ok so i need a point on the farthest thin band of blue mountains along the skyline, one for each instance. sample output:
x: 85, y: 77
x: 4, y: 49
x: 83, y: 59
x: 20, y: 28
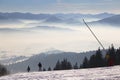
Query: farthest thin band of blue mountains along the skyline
x: 17, y: 15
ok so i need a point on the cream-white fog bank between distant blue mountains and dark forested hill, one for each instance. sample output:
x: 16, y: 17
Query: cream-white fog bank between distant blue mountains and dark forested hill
x: 32, y: 37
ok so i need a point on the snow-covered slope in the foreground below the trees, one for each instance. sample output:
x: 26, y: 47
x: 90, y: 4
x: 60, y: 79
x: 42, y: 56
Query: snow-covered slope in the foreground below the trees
x: 107, y: 73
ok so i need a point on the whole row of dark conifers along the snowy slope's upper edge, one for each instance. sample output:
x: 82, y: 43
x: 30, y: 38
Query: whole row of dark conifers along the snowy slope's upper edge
x: 111, y: 58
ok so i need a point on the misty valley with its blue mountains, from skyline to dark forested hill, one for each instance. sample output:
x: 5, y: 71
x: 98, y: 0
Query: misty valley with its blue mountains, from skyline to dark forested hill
x: 27, y: 34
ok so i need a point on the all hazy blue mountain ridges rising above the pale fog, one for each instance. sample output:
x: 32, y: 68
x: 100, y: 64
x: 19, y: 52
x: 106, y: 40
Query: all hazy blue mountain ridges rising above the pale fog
x: 16, y: 17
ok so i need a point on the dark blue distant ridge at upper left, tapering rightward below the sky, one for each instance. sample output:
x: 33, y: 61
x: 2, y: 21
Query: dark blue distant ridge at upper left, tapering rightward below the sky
x: 29, y: 16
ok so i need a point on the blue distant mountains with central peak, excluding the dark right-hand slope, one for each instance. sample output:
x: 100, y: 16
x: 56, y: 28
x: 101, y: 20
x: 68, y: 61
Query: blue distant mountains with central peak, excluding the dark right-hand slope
x: 50, y: 18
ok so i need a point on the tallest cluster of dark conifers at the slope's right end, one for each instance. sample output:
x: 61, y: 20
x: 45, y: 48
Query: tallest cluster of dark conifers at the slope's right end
x: 111, y: 58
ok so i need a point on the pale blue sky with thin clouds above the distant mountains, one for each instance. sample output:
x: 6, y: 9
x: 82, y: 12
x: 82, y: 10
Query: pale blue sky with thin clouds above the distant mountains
x: 61, y: 6
